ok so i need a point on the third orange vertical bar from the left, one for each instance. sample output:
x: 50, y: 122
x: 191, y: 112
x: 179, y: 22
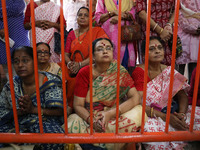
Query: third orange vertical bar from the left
x: 63, y: 65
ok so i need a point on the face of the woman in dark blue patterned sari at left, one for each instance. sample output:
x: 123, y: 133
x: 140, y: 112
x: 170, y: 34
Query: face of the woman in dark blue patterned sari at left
x: 23, y: 63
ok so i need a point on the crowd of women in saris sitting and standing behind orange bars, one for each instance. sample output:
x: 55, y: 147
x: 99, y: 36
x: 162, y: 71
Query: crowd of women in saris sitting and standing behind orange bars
x: 104, y: 71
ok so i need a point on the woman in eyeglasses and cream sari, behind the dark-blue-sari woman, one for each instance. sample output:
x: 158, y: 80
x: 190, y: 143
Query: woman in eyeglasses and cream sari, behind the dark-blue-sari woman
x: 44, y: 64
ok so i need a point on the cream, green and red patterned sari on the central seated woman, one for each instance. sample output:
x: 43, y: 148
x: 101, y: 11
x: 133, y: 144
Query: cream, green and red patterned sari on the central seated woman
x: 104, y: 98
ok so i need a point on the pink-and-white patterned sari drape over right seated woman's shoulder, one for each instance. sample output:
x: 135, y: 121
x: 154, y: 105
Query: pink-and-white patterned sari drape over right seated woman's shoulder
x: 161, y: 83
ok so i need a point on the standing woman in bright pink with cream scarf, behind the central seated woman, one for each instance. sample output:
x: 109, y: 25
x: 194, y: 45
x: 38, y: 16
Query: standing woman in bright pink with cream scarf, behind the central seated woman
x: 106, y: 15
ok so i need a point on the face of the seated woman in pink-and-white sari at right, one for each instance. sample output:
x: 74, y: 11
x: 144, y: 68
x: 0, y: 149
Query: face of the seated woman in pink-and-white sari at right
x: 156, y: 51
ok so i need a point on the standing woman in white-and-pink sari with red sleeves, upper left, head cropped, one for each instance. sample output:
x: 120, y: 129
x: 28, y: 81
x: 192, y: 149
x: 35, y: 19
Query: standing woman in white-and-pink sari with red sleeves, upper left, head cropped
x: 47, y: 21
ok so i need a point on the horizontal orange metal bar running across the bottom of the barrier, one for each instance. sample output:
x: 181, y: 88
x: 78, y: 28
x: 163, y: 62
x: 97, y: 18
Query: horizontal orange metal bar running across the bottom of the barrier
x: 99, y: 137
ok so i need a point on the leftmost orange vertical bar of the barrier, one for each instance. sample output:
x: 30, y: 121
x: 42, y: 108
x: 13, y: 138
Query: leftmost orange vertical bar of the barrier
x: 5, y: 23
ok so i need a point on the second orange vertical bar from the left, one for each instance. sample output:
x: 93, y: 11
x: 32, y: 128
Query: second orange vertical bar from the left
x: 36, y: 65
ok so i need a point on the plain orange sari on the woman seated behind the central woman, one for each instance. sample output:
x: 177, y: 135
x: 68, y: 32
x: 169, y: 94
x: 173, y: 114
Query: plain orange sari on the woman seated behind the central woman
x: 82, y: 45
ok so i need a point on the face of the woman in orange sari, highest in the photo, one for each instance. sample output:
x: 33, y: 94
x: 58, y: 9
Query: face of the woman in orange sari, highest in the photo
x: 83, y: 17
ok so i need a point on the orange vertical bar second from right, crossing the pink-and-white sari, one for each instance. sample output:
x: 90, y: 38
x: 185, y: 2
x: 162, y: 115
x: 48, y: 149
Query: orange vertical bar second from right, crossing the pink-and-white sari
x: 172, y: 65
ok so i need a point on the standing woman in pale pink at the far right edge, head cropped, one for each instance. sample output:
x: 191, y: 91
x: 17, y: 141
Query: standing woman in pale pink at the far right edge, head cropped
x: 188, y: 31
